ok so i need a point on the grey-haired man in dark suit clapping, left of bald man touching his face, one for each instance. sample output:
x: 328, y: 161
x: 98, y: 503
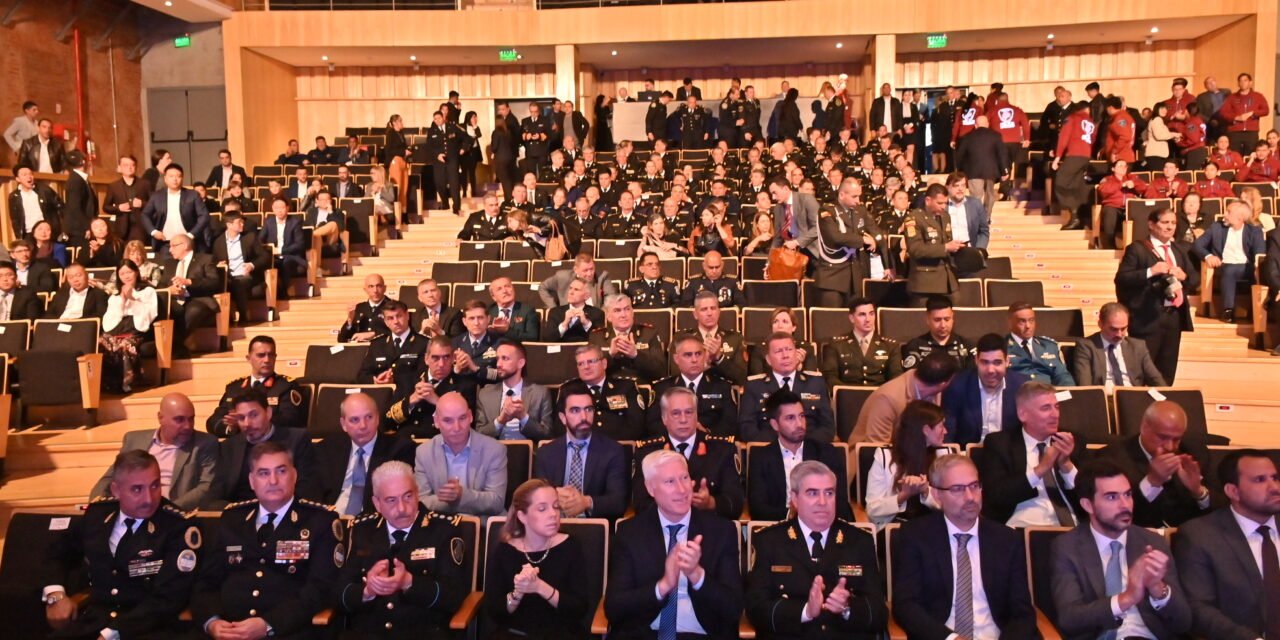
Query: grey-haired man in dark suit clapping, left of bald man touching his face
x: 1030, y: 473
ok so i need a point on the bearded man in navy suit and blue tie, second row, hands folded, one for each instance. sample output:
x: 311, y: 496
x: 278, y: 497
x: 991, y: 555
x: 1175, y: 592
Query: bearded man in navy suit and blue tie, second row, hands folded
x: 588, y: 469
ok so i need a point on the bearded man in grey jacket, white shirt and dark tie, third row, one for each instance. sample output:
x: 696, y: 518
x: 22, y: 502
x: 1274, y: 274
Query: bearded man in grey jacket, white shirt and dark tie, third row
x: 515, y: 410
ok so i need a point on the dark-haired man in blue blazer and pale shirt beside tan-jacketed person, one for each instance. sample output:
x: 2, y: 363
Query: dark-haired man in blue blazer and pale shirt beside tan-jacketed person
x: 984, y: 400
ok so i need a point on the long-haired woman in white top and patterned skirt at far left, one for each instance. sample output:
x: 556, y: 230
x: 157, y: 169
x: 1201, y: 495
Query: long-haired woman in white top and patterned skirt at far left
x: 129, y: 318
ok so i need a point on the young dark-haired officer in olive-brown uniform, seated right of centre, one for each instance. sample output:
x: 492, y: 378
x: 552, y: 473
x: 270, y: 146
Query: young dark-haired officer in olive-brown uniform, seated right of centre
x: 862, y: 358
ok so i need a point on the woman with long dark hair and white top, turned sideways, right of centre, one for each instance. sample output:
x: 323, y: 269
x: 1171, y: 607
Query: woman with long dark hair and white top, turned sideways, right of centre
x: 898, y: 486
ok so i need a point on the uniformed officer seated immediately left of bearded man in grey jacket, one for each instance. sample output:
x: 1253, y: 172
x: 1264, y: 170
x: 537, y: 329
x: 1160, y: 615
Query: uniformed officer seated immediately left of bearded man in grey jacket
x: 414, y: 412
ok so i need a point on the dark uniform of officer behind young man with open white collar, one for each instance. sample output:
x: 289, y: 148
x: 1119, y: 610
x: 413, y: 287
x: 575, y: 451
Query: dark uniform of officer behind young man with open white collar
x: 755, y: 426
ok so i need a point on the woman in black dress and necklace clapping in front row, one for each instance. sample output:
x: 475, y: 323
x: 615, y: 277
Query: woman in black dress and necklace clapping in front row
x: 533, y: 580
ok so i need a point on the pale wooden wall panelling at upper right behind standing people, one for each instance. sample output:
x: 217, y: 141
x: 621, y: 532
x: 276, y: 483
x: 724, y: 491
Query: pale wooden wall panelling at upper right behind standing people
x: 1139, y: 72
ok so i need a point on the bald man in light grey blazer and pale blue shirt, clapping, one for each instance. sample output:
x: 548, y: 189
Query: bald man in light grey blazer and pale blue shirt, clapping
x: 460, y: 470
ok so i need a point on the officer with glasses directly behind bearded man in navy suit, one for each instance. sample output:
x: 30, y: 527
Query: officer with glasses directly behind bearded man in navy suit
x: 619, y: 405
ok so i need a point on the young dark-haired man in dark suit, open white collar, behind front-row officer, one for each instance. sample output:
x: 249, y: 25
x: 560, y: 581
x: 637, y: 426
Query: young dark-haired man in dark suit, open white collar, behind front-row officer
x: 769, y: 483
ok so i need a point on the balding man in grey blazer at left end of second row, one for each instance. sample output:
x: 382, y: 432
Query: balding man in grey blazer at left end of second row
x: 188, y: 458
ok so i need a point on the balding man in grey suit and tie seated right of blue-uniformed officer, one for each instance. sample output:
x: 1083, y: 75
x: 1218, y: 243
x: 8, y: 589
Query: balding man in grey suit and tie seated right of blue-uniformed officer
x: 1112, y: 358
